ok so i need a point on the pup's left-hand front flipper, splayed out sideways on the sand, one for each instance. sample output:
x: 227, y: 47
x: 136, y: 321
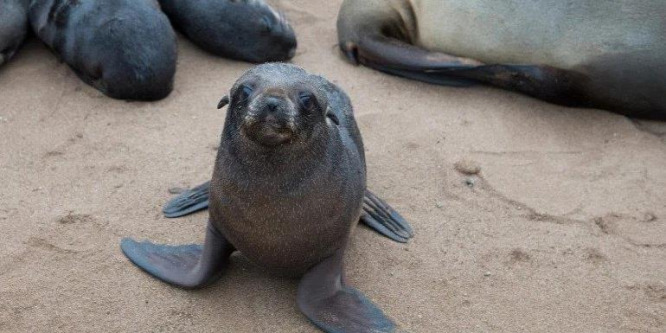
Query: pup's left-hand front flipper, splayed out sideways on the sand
x: 186, y: 266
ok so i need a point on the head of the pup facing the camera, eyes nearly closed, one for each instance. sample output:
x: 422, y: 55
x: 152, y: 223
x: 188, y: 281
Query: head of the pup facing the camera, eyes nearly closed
x: 276, y: 105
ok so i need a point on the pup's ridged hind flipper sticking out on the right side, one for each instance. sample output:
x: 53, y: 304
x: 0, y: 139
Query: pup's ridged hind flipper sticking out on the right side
x: 379, y: 216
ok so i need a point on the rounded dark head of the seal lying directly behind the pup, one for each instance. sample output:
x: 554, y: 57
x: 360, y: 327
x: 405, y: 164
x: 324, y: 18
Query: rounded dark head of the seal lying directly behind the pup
x: 257, y: 33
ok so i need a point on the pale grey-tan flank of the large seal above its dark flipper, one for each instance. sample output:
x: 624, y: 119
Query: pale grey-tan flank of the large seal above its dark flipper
x: 563, y: 34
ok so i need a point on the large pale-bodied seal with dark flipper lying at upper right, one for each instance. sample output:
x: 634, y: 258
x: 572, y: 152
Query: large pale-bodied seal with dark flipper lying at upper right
x: 598, y: 54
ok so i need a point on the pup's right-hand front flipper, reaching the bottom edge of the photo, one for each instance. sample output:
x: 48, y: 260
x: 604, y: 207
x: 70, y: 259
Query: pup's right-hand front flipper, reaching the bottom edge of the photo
x: 334, y: 307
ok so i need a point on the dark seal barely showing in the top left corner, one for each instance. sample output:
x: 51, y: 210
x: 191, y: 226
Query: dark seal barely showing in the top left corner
x: 13, y: 27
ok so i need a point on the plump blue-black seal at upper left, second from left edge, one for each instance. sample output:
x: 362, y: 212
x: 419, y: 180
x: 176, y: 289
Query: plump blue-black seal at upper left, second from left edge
x: 124, y: 48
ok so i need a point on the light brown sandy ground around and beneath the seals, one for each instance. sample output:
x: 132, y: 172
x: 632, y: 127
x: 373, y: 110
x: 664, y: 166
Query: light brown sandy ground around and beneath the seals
x: 564, y: 230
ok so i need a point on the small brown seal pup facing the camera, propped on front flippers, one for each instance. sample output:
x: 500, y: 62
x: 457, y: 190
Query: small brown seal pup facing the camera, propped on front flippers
x: 287, y: 190
